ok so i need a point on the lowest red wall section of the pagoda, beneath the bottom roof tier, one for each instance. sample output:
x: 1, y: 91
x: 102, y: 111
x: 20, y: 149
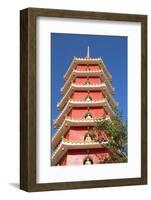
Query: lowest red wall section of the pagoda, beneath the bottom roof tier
x: 76, y: 157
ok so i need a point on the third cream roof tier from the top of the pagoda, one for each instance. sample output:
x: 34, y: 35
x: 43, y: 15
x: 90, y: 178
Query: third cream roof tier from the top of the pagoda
x: 86, y: 87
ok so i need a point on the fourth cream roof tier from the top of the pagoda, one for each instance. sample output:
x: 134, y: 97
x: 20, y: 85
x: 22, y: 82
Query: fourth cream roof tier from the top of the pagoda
x: 73, y: 103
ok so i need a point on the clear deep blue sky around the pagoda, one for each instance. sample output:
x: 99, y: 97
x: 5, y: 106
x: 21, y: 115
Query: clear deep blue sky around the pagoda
x: 113, y: 51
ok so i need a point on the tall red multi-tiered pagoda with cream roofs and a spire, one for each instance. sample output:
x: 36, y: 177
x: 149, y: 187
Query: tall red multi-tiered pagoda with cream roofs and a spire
x: 87, y: 97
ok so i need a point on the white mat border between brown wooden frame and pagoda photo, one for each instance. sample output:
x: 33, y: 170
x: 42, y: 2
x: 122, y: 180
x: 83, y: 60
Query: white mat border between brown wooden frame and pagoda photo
x: 46, y: 173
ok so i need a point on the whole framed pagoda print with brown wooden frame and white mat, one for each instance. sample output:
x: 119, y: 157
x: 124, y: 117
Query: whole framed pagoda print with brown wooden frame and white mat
x: 83, y: 99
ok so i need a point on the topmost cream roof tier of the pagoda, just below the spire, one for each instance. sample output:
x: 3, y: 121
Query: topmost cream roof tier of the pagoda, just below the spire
x: 76, y: 61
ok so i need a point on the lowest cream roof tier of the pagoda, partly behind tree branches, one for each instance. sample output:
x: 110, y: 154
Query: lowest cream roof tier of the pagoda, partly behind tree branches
x: 65, y: 145
